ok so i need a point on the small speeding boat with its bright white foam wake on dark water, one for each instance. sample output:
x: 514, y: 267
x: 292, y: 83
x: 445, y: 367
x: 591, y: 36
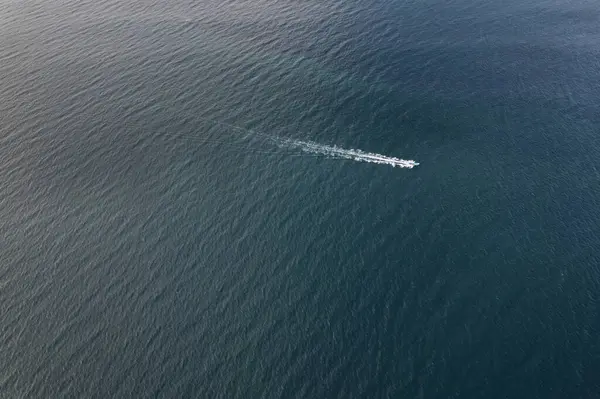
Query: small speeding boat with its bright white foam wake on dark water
x: 337, y: 152
